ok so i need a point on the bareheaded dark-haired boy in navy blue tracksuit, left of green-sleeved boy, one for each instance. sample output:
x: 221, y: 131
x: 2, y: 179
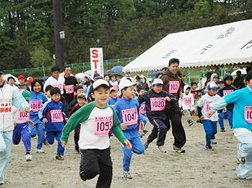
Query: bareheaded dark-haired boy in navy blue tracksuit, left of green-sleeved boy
x: 53, y: 116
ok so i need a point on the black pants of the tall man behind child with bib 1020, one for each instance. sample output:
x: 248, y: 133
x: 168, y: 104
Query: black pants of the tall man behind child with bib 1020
x: 174, y: 117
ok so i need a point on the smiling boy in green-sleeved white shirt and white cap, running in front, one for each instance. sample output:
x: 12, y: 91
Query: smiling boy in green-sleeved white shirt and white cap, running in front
x: 97, y: 119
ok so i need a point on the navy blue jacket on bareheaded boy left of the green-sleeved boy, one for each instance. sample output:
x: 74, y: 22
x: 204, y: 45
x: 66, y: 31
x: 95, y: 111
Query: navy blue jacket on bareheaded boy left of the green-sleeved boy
x: 47, y: 111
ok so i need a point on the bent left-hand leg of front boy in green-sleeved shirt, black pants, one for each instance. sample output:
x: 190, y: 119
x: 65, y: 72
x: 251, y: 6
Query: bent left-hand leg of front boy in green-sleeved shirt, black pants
x: 89, y: 165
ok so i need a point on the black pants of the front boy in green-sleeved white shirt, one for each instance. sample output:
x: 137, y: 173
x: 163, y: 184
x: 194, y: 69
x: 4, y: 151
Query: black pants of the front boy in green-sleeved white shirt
x: 94, y: 162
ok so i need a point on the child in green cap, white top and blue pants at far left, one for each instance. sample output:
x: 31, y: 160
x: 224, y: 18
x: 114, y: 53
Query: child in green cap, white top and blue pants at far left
x: 21, y: 124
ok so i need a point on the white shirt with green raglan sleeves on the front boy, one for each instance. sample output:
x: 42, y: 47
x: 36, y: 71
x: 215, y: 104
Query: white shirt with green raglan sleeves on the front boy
x: 96, y: 124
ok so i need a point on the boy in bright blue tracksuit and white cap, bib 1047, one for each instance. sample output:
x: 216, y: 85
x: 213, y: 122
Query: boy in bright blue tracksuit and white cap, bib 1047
x: 127, y: 110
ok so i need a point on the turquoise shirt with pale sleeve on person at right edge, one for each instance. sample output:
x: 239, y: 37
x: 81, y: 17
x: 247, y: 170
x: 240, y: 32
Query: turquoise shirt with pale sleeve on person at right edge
x: 242, y: 112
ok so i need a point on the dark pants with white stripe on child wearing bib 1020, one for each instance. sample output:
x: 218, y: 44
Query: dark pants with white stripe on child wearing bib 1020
x: 159, y: 131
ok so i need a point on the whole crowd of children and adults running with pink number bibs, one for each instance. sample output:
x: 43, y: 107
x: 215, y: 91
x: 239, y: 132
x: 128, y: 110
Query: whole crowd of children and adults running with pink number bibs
x: 122, y: 109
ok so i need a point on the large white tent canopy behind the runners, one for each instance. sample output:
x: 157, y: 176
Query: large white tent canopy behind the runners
x: 218, y: 45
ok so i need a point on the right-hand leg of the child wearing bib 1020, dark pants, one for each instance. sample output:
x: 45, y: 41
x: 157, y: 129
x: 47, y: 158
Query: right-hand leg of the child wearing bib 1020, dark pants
x: 161, y: 131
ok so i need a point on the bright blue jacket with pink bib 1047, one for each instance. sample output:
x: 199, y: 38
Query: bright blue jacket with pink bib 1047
x: 133, y: 118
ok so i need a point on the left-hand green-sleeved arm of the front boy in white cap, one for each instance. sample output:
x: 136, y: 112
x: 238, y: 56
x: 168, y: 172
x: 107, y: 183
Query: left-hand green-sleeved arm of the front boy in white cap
x: 78, y: 117
